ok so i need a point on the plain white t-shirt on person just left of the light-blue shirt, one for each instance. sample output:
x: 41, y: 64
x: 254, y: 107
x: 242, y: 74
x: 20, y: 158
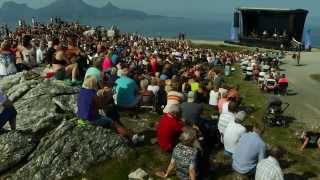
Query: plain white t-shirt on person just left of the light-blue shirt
x: 232, y: 135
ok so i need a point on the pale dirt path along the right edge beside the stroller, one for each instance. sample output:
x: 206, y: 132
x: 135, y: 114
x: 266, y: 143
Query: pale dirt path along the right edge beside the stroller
x: 305, y: 105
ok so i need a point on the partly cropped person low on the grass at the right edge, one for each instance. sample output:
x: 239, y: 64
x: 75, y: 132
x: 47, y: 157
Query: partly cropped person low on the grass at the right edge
x: 310, y: 139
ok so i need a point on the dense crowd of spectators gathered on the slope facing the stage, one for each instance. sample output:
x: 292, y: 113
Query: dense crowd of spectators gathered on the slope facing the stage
x: 129, y: 71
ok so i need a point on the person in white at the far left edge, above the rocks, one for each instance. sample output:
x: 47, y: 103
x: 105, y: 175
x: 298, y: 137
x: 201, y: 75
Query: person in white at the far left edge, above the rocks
x: 7, y: 65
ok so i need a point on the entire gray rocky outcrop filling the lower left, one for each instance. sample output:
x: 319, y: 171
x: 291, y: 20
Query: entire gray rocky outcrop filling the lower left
x: 52, y: 145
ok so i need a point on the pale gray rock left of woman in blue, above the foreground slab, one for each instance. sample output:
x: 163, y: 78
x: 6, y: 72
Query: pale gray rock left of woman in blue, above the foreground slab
x: 36, y: 109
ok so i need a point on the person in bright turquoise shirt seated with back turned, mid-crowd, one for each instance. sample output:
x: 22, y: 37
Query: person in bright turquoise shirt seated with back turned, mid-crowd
x: 126, y: 91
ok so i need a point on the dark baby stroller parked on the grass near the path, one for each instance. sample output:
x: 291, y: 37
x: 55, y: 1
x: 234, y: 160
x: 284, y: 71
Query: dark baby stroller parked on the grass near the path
x: 274, y: 114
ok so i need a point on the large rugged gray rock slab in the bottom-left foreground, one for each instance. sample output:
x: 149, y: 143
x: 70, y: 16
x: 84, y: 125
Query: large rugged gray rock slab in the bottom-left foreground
x: 70, y: 150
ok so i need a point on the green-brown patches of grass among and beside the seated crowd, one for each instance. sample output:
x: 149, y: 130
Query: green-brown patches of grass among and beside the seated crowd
x: 150, y: 158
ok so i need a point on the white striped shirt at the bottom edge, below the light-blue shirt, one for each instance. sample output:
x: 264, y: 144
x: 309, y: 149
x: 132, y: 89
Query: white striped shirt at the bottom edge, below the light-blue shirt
x: 269, y: 169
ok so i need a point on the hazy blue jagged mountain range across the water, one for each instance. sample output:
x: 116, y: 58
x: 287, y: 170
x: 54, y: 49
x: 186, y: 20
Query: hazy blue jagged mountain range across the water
x: 11, y: 12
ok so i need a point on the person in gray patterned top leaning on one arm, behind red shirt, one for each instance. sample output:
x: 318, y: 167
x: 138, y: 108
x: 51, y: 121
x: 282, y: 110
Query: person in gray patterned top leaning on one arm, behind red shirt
x: 184, y: 157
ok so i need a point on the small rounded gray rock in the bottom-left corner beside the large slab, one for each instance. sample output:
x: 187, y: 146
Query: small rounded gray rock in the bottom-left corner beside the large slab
x: 14, y: 147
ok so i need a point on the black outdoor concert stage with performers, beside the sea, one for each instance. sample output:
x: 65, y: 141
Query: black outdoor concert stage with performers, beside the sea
x: 268, y: 28
